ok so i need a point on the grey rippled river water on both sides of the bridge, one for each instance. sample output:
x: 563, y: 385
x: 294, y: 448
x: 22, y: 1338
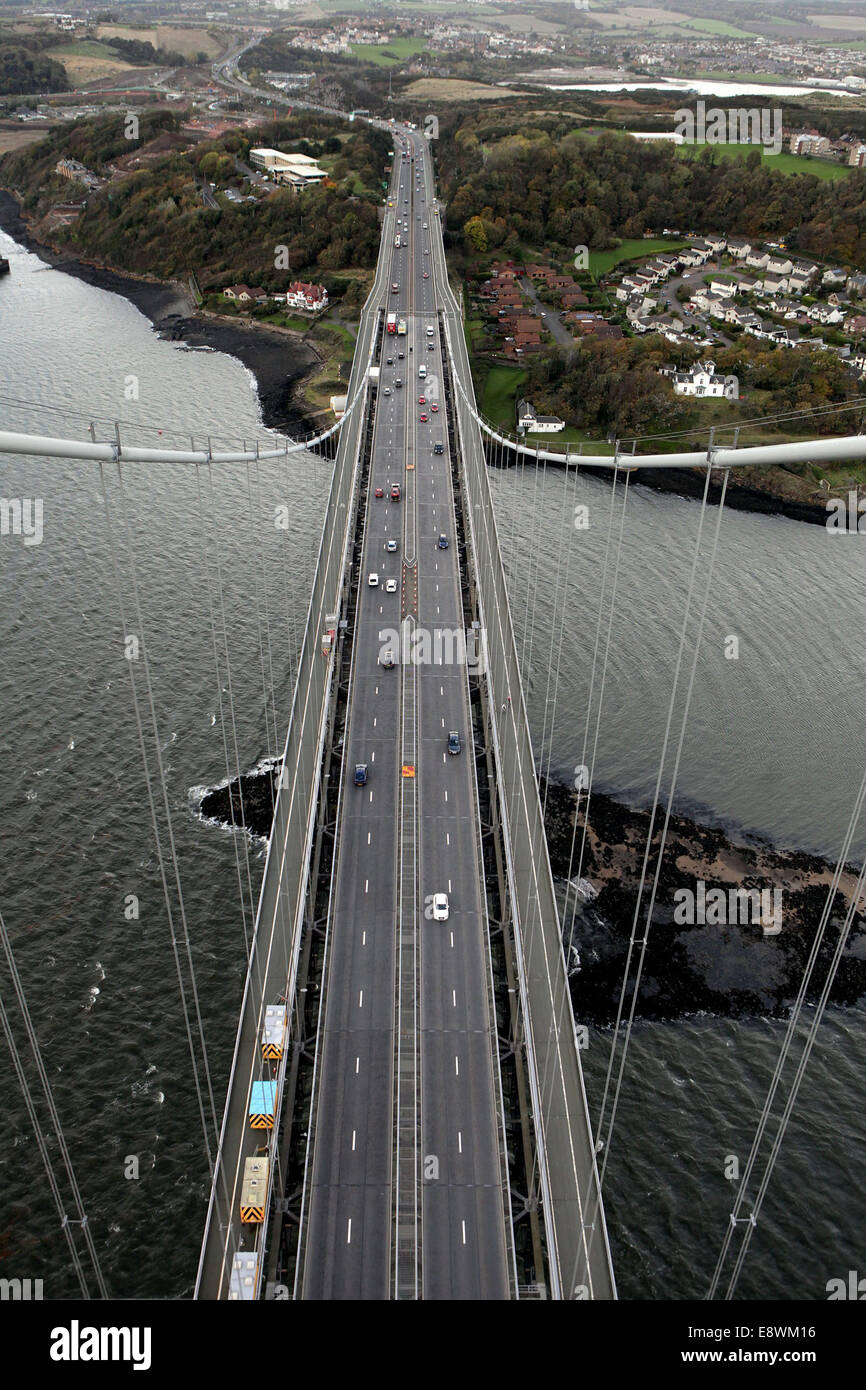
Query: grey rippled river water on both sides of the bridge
x: 775, y: 746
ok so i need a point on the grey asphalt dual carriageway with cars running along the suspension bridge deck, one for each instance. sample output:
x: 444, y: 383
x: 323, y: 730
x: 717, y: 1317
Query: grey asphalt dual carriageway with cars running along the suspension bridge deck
x: 407, y: 1193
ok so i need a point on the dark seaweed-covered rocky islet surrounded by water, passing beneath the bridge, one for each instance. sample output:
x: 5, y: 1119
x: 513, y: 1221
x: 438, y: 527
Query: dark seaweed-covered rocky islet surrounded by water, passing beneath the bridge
x: 732, y: 971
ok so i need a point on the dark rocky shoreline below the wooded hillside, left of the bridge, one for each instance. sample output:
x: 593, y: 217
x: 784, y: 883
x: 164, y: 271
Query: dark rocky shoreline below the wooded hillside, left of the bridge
x: 279, y: 359
